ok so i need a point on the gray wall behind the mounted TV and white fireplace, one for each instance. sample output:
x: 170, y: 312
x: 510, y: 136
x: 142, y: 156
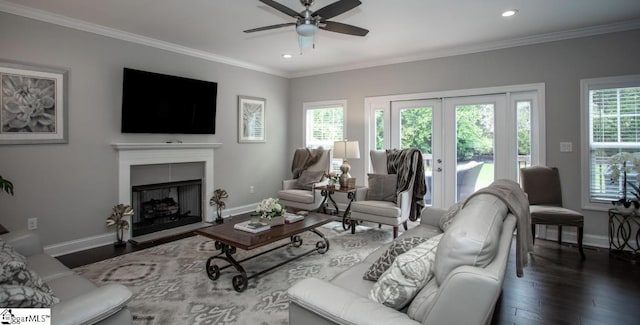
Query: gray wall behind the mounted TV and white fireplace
x: 72, y: 187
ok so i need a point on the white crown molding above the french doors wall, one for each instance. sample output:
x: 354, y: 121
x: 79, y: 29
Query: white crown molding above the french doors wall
x: 485, y: 47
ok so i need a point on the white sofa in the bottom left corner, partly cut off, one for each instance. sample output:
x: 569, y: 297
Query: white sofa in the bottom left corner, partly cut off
x: 81, y: 301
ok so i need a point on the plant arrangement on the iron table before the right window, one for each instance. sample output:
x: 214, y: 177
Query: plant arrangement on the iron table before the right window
x: 623, y: 163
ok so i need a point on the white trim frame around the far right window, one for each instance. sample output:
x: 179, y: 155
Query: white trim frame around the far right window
x: 587, y: 85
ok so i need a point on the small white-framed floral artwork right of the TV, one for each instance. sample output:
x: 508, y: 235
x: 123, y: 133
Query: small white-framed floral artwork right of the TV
x: 251, y: 119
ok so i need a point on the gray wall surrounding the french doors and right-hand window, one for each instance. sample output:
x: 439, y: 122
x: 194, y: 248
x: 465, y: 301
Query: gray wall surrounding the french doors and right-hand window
x: 560, y: 65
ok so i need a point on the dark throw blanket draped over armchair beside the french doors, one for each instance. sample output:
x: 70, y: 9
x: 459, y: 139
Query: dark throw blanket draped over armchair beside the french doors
x: 408, y: 165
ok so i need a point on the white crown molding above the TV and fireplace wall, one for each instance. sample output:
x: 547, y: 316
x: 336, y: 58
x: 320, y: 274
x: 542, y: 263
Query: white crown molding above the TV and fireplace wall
x: 85, y: 26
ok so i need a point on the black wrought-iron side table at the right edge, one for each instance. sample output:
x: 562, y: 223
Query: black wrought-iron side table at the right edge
x: 620, y: 232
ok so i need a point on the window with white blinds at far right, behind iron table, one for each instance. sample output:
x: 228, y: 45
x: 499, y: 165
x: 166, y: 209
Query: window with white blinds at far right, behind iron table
x: 611, y: 120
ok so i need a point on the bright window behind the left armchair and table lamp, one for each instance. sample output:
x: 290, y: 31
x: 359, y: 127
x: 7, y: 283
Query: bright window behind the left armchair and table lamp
x: 324, y: 123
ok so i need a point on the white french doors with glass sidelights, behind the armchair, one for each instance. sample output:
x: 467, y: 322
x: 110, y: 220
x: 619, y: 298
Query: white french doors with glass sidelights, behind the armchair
x: 466, y: 141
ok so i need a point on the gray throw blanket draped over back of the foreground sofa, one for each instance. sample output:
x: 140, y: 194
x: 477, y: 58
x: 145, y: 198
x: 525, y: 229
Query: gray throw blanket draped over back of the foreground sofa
x: 516, y: 200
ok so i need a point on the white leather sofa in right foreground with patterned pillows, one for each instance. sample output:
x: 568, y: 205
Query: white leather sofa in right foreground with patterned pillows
x: 469, y: 268
